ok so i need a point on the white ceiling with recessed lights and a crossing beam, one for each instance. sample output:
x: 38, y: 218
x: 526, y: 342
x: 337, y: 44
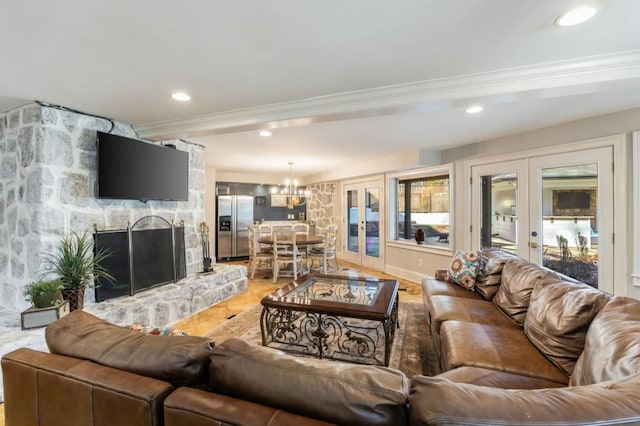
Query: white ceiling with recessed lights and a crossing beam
x: 337, y: 82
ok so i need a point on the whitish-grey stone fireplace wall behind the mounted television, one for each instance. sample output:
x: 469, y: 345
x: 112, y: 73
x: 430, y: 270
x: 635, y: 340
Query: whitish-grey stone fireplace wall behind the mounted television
x: 47, y: 181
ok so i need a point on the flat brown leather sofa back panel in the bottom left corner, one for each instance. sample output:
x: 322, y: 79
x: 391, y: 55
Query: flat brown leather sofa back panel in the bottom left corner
x: 40, y: 388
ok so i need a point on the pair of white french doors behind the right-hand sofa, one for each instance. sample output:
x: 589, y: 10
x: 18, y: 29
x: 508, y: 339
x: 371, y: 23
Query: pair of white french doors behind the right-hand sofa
x: 554, y: 210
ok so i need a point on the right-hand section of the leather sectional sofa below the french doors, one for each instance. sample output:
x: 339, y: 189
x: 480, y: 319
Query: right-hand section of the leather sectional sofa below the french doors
x: 528, y: 346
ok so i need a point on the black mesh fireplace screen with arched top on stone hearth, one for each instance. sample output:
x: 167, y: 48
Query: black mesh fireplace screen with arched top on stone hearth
x: 148, y: 254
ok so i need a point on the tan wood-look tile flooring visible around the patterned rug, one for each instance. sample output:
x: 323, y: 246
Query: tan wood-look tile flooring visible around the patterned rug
x: 202, y: 322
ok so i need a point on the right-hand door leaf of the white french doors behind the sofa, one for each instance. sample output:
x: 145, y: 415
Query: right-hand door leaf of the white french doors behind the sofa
x: 574, y: 215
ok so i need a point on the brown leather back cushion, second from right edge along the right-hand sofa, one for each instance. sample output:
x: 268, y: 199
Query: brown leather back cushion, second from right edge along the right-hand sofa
x: 558, y: 318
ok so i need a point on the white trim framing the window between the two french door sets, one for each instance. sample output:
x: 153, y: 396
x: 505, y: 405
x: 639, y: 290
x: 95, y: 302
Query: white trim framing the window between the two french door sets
x: 392, y: 206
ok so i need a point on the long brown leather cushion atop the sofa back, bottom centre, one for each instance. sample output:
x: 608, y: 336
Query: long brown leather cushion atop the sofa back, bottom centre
x: 332, y: 391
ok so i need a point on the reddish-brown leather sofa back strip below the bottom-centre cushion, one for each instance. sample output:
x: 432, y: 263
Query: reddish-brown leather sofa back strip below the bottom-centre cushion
x: 188, y: 406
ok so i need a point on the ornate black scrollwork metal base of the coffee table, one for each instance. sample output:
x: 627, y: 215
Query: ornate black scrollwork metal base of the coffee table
x: 330, y: 336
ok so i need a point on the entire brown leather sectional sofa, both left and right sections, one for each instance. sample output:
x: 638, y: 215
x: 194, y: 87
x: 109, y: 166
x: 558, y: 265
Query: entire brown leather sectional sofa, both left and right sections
x: 524, y: 347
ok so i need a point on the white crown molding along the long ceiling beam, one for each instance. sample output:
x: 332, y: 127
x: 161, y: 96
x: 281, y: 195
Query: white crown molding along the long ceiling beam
x: 582, y: 75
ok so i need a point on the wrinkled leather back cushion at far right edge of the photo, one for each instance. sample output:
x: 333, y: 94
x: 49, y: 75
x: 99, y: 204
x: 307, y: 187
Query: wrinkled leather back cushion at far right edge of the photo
x: 612, y: 344
